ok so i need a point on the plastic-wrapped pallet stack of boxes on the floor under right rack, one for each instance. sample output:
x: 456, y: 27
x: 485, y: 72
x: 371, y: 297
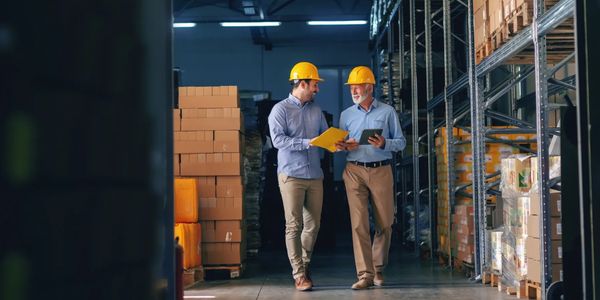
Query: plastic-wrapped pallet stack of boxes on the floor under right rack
x: 521, y: 235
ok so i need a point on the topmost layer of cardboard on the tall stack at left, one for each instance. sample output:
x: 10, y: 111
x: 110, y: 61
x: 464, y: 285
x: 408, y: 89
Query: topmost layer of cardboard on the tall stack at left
x: 209, y: 97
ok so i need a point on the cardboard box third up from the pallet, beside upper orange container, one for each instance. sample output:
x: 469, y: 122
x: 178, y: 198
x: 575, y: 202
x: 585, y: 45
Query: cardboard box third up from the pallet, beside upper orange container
x: 221, y: 209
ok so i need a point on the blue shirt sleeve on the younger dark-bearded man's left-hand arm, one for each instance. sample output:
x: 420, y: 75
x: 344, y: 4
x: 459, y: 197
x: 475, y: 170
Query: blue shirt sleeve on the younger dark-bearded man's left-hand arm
x: 278, y: 126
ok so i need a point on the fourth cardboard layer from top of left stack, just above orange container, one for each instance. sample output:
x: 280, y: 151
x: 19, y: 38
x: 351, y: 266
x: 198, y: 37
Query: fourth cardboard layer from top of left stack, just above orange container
x: 215, y: 164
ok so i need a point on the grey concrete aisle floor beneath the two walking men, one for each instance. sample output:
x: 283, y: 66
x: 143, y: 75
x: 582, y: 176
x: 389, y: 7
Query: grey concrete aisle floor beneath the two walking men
x: 268, y: 277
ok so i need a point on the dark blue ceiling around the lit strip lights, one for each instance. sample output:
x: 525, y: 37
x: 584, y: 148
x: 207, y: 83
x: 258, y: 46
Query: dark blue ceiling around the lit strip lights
x: 292, y: 13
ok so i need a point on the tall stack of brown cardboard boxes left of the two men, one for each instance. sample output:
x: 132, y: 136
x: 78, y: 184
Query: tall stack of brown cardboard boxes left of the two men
x: 208, y: 148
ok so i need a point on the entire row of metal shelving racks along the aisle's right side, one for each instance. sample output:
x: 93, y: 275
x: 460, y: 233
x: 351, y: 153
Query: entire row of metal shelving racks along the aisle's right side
x: 475, y: 83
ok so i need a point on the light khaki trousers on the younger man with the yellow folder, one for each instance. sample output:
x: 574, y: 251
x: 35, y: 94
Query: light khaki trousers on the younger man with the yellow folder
x: 302, y: 203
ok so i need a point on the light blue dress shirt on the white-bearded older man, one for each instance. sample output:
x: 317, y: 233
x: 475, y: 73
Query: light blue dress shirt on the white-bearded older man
x: 380, y: 116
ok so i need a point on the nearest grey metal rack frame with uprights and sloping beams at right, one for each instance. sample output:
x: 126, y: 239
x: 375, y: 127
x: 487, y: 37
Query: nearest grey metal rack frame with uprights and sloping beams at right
x: 481, y: 100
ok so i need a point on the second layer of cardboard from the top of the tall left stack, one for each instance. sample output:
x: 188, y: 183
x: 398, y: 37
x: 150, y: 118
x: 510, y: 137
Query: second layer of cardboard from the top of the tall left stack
x: 194, y: 119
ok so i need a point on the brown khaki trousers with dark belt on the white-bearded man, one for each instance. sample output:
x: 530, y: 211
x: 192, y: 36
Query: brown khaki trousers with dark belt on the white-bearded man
x: 362, y: 182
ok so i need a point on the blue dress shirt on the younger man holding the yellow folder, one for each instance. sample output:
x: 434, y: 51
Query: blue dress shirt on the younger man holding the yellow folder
x: 292, y: 126
